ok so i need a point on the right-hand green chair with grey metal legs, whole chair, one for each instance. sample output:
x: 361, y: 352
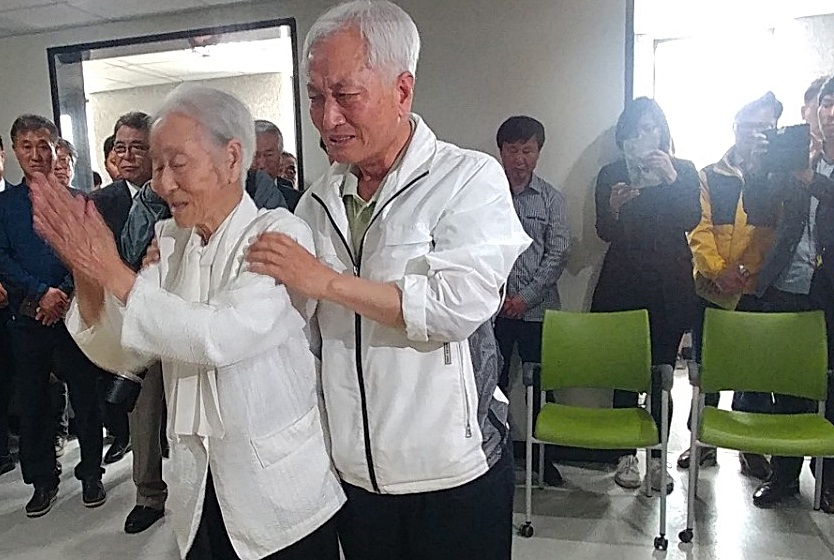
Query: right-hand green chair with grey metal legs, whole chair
x: 764, y: 352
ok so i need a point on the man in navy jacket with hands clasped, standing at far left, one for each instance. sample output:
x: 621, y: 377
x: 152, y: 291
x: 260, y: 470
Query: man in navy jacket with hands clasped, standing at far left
x: 39, y: 288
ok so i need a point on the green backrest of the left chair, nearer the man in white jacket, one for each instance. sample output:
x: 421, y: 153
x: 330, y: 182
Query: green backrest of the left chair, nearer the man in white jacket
x: 597, y: 350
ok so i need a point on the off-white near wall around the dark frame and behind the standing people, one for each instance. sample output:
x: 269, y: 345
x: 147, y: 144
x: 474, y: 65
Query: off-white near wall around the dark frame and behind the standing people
x: 561, y: 61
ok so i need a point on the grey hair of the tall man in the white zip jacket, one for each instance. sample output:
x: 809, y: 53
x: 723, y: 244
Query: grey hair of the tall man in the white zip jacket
x: 392, y: 39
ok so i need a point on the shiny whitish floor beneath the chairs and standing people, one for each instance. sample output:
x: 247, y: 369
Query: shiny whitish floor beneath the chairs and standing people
x: 589, y: 518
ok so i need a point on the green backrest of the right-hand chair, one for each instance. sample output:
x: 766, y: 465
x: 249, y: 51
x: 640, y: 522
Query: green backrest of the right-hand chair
x: 767, y: 352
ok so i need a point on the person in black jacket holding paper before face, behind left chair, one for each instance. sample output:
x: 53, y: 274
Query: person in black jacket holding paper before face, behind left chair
x: 648, y: 264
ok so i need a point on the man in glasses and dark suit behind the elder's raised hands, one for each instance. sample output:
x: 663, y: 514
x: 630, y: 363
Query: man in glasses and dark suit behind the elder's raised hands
x: 131, y: 144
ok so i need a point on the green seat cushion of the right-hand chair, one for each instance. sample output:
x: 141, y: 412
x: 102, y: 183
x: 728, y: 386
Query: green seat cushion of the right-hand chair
x: 791, y: 435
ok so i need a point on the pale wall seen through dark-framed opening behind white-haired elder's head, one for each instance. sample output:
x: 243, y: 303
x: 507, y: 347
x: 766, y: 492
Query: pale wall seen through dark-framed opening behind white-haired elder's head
x: 258, y: 91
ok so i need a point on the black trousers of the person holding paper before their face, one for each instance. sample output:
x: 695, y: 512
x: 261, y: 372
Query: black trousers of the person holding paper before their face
x: 665, y: 340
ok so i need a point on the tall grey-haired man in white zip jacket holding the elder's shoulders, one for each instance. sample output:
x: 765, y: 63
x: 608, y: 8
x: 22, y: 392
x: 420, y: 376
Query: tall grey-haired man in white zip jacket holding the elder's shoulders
x: 415, y: 238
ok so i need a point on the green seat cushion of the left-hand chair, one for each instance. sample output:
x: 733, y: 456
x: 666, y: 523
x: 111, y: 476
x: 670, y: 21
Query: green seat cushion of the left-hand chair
x: 596, y: 428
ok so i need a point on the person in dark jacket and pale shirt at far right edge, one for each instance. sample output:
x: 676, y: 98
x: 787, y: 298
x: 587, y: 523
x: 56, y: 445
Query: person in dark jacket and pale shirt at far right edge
x: 798, y: 273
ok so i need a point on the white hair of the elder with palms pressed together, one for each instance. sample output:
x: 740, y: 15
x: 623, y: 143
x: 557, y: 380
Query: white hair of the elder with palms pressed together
x: 224, y: 117
